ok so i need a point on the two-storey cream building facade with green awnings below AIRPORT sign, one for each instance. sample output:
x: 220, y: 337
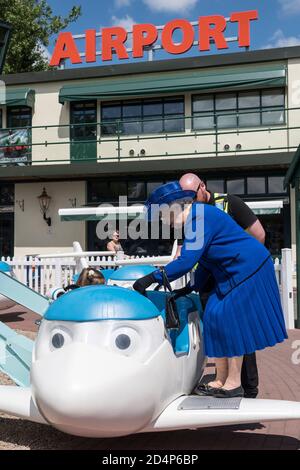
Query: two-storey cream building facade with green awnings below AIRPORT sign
x: 89, y: 135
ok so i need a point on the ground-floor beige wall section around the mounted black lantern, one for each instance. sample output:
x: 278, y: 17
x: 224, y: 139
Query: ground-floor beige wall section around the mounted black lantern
x: 32, y: 234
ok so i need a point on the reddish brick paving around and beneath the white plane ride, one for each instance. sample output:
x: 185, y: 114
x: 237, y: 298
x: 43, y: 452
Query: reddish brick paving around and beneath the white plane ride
x: 279, y: 379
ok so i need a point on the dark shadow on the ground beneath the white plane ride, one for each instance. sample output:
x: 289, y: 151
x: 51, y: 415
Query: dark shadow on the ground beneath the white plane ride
x: 15, y: 433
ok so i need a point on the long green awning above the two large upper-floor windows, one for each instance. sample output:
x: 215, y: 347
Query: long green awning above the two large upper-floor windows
x: 236, y: 78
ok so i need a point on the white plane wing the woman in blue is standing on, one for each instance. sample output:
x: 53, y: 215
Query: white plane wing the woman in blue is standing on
x: 192, y: 412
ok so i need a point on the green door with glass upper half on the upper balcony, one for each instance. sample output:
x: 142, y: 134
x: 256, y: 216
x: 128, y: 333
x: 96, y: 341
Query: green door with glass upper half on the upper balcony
x: 84, y: 133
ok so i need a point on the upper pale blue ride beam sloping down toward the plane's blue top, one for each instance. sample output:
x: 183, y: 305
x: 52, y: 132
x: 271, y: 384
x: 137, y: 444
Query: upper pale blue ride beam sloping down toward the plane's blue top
x: 22, y: 295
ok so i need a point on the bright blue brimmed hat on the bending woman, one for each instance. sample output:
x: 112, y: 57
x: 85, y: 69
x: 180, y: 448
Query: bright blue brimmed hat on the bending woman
x: 166, y: 194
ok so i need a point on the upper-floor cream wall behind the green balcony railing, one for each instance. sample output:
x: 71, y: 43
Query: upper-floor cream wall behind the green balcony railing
x: 48, y: 111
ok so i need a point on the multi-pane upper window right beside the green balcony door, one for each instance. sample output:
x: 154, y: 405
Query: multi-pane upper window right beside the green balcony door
x: 148, y: 116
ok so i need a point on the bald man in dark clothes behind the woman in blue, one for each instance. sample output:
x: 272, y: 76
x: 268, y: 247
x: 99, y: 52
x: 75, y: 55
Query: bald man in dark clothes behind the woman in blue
x: 243, y: 216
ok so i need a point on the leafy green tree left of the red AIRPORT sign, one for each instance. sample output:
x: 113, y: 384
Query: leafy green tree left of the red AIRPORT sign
x: 33, y: 25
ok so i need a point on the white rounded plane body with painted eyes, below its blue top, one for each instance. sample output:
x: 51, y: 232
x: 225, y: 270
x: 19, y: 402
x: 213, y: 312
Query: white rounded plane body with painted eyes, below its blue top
x: 92, y: 387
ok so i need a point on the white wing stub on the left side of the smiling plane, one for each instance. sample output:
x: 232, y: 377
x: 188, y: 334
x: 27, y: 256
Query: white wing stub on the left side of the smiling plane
x: 18, y: 401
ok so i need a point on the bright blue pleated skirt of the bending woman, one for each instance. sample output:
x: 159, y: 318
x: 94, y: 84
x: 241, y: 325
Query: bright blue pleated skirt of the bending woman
x: 247, y: 319
